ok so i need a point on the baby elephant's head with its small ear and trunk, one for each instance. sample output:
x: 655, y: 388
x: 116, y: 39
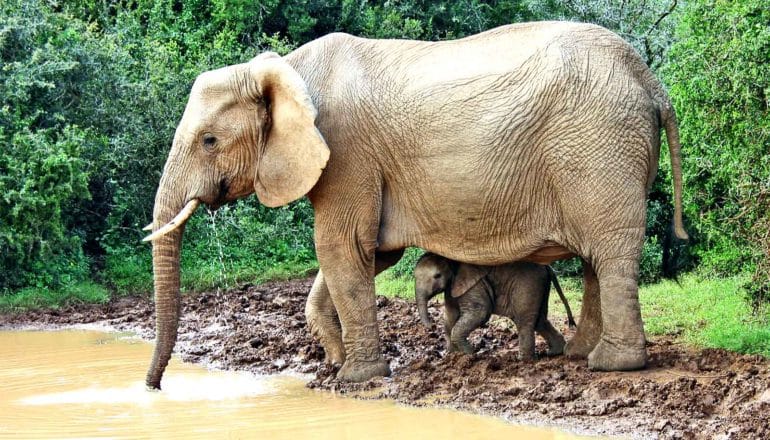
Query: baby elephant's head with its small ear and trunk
x: 434, y: 274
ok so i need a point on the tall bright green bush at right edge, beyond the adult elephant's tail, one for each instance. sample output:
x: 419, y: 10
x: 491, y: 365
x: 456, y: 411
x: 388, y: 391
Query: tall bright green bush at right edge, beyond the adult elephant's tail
x: 719, y: 77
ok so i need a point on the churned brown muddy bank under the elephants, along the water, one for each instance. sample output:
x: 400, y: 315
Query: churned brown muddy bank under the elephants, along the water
x: 683, y: 393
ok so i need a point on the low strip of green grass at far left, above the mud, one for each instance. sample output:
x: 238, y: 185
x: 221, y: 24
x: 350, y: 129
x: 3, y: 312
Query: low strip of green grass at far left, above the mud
x: 37, y: 298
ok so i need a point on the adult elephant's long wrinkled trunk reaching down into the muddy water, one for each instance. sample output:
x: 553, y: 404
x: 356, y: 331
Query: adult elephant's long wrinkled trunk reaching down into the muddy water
x: 165, y: 263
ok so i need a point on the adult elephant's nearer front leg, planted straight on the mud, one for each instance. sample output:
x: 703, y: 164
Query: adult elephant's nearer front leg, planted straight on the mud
x: 349, y: 275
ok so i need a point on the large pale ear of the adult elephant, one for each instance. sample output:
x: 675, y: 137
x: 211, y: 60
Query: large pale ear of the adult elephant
x: 295, y: 153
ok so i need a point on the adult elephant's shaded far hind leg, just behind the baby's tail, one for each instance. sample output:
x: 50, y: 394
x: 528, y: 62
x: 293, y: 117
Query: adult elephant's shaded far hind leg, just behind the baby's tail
x: 590, y: 324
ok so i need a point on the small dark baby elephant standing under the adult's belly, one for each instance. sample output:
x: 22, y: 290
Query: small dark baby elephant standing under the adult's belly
x: 472, y: 293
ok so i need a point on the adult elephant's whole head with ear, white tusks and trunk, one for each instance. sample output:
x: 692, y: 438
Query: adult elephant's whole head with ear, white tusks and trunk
x: 246, y: 128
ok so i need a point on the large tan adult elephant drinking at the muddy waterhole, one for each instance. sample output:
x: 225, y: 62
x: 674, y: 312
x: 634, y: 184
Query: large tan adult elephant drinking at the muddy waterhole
x: 527, y: 142
